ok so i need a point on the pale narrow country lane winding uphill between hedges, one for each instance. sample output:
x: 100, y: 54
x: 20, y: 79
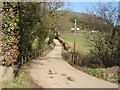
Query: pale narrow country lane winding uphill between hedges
x: 54, y: 72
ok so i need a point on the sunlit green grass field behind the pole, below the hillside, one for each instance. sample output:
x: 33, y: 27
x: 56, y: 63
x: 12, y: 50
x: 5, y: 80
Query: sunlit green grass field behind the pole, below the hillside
x: 83, y: 41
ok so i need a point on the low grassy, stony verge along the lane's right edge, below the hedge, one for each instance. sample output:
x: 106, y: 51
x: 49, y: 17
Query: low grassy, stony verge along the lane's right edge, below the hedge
x: 108, y: 74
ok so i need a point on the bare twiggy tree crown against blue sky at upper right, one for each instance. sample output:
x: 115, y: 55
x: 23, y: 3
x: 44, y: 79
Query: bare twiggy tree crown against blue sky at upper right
x: 106, y: 14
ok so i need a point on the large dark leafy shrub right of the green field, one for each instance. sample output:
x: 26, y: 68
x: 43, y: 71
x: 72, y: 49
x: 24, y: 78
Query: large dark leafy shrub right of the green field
x: 106, y: 50
